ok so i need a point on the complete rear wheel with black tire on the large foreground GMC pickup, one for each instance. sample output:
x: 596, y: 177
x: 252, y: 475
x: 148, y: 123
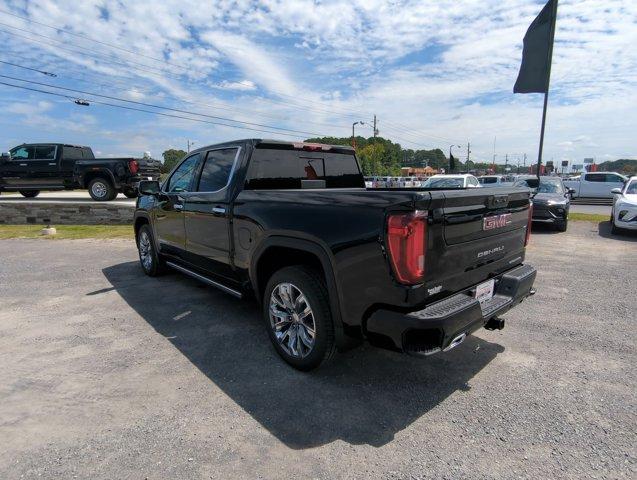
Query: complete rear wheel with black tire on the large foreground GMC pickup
x: 297, y: 315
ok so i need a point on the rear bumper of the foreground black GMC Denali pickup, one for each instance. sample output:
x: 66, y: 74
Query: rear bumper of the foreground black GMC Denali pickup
x: 433, y: 329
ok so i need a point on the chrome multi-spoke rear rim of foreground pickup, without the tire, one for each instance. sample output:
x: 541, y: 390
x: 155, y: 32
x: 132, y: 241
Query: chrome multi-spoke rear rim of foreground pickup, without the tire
x: 292, y: 320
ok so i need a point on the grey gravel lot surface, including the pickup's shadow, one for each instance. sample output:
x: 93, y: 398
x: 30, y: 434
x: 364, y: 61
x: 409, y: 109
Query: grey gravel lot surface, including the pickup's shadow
x: 106, y: 373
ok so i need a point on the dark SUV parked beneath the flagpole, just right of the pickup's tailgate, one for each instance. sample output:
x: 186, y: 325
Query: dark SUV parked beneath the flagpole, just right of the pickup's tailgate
x: 551, y: 200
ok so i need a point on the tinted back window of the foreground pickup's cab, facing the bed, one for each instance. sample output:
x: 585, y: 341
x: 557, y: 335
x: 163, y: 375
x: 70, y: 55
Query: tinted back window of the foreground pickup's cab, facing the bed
x: 287, y: 169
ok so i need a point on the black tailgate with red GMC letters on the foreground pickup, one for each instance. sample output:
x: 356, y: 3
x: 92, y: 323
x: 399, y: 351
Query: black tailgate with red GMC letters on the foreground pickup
x: 473, y: 235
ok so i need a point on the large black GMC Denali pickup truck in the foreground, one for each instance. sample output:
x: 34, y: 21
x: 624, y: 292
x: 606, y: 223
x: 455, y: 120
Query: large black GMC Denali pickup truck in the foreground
x: 331, y: 262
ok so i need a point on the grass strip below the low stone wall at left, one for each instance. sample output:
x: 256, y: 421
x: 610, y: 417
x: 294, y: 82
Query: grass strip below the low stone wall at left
x: 68, y: 231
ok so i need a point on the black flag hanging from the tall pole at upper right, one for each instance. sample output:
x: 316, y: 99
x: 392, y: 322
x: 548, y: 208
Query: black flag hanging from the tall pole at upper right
x: 536, y: 55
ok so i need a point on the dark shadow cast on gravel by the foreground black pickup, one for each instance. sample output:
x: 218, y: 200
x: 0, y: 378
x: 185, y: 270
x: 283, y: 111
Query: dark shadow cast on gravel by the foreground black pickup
x: 364, y: 396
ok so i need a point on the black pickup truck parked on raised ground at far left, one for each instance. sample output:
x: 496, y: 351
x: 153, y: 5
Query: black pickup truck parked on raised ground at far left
x: 31, y: 168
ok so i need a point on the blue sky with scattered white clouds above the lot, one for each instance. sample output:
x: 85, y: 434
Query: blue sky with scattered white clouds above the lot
x: 435, y: 73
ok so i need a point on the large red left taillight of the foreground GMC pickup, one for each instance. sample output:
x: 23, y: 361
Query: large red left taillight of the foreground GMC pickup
x: 407, y: 242
